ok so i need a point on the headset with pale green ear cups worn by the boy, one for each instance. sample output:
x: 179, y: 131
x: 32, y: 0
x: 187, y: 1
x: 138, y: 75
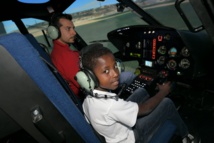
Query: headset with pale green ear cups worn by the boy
x: 85, y: 77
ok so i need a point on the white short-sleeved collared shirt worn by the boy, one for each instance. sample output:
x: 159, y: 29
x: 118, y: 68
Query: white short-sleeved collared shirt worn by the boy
x: 111, y: 118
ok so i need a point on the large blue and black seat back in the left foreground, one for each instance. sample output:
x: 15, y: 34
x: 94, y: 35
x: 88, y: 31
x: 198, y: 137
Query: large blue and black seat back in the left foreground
x: 29, y: 84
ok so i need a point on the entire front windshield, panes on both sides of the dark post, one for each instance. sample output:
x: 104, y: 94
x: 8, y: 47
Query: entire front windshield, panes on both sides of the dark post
x: 94, y: 19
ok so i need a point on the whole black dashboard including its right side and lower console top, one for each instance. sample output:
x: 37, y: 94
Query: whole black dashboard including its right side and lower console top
x: 163, y: 53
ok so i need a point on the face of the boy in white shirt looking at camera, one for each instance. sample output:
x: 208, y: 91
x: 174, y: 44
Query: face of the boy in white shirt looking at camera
x: 107, y: 72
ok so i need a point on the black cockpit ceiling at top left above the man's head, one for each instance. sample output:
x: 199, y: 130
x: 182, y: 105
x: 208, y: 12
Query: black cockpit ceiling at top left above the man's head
x: 11, y: 9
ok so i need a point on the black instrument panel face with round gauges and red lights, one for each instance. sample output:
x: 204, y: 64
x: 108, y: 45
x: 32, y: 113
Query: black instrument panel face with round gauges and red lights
x: 158, y: 48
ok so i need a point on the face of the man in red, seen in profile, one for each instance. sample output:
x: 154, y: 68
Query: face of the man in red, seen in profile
x: 67, y: 31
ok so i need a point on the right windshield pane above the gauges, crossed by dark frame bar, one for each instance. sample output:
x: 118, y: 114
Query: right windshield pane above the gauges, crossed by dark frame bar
x: 171, y: 13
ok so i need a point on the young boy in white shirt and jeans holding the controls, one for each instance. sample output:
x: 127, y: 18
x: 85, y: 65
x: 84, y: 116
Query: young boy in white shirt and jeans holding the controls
x: 134, y: 120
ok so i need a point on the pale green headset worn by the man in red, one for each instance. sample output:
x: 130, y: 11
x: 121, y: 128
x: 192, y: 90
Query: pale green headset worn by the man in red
x: 53, y: 30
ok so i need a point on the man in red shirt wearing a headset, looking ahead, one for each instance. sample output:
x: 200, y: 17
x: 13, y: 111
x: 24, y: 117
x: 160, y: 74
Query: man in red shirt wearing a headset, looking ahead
x: 65, y: 60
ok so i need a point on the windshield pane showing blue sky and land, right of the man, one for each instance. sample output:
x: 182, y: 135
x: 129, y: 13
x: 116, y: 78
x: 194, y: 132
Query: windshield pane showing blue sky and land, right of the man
x: 98, y: 18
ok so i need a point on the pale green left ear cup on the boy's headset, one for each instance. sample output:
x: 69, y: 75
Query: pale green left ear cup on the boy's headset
x: 86, y: 80
